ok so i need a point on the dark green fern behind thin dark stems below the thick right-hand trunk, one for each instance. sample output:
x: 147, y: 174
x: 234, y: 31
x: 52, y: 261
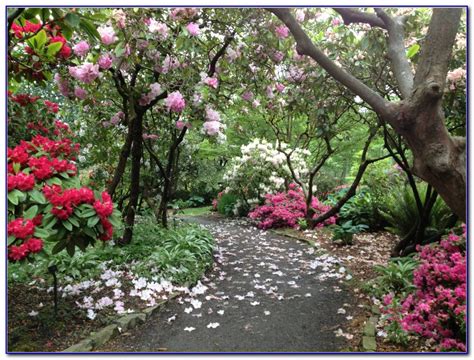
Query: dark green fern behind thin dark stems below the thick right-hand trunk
x: 401, y: 212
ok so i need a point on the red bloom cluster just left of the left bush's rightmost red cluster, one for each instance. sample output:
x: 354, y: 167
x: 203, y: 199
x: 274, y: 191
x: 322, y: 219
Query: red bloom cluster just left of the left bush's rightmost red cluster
x: 64, y: 201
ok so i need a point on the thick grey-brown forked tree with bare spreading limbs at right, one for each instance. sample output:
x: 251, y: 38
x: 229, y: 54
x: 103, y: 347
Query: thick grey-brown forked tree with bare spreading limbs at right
x: 439, y: 158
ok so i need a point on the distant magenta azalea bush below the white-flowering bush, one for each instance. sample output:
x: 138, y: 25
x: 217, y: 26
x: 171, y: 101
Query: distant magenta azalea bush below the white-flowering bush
x: 284, y: 209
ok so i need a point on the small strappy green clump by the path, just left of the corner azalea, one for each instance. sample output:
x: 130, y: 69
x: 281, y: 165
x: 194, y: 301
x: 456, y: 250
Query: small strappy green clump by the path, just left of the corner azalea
x: 395, y: 278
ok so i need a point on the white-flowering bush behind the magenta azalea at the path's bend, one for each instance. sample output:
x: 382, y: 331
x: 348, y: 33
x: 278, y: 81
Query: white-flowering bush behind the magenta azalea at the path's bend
x: 263, y: 168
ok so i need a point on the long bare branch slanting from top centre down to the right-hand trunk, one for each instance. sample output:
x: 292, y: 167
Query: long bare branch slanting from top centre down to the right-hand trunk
x: 305, y: 46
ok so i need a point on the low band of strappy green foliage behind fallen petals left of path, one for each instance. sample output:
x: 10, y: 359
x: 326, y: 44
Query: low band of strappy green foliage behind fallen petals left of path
x: 181, y: 255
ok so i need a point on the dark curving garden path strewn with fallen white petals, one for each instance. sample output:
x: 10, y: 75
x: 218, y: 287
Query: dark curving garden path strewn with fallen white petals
x: 266, y: 293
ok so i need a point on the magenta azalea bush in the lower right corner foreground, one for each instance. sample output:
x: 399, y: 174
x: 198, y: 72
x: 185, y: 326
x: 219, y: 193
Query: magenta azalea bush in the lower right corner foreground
x: 437, y: 308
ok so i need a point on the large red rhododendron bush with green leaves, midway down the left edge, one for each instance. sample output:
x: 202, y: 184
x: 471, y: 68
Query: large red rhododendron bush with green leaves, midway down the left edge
x: 46, y: 201
